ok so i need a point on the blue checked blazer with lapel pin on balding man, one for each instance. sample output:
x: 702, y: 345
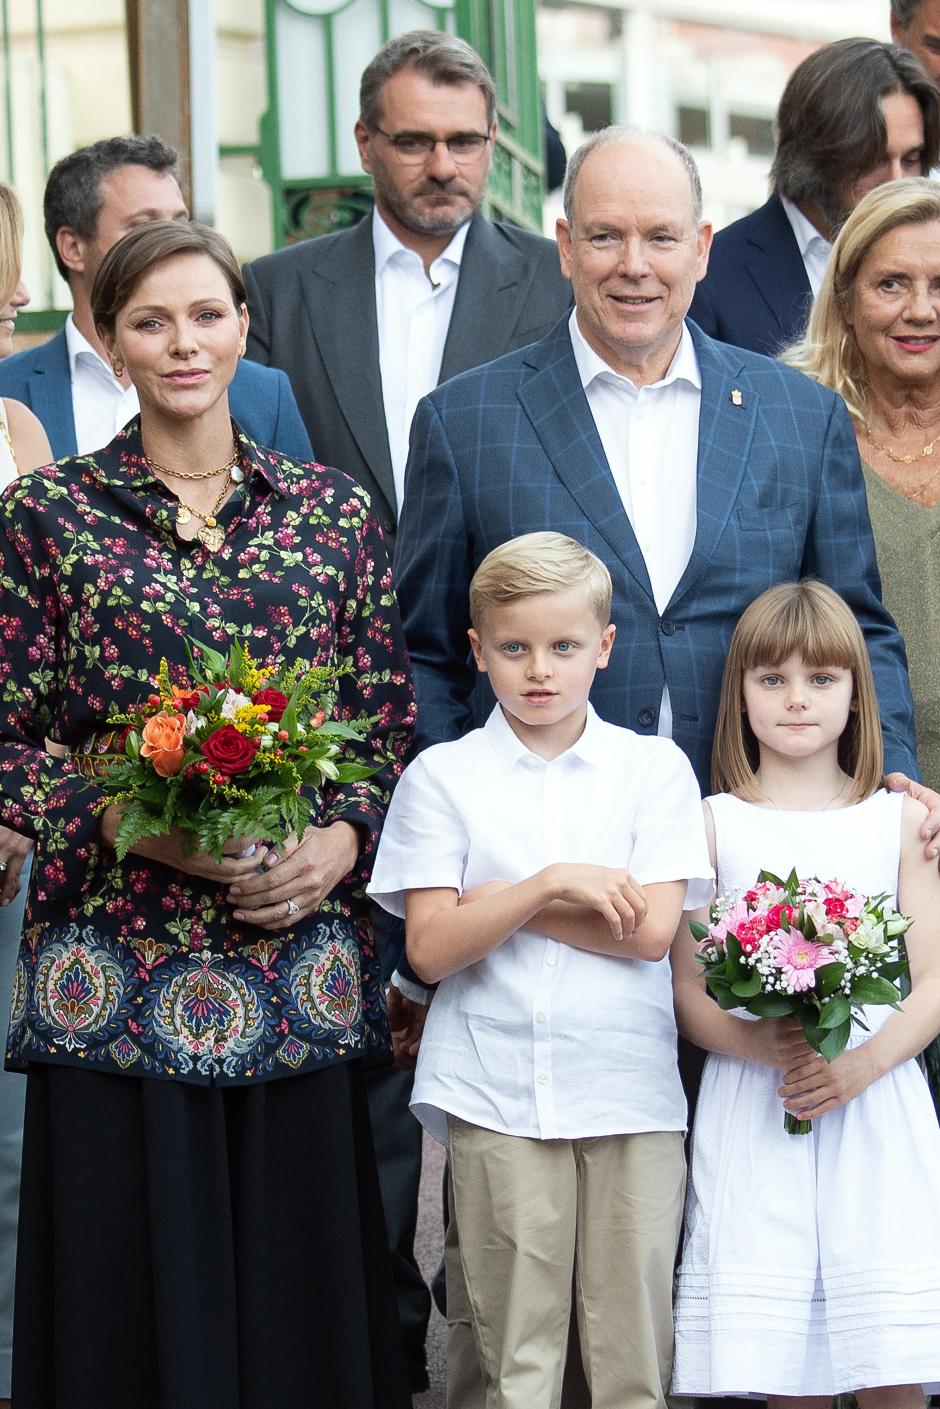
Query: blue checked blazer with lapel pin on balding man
x: 512, y: 449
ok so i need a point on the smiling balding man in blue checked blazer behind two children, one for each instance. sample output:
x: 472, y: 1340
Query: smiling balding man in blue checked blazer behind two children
x: 700, y: 473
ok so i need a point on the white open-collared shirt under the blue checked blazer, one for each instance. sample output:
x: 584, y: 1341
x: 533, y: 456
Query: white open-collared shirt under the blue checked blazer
x: 650, y: 437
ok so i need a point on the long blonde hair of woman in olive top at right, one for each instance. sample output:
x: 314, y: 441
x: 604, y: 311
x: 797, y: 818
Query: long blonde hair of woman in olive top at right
x: 829, y: 352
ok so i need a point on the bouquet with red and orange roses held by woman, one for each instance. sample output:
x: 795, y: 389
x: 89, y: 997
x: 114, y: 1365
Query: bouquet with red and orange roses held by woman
x: 233, y: 752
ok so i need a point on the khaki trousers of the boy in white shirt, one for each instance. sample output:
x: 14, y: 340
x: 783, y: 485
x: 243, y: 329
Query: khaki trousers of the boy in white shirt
x: 532, y: 1215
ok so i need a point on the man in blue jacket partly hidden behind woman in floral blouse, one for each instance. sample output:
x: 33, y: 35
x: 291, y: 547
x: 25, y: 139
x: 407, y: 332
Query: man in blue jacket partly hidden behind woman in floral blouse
x: 92, y: 199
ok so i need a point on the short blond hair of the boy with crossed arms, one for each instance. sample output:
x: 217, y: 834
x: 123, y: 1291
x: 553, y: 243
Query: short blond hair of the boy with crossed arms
x: 540, y: 563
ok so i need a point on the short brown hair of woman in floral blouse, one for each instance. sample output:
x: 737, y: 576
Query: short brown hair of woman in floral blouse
x: 147, y: 247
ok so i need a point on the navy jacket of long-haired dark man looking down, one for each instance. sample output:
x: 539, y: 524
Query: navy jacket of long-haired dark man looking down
x: 756, y: 292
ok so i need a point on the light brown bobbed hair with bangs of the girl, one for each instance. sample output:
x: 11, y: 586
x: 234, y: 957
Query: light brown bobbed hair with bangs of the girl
x: 805, y: 619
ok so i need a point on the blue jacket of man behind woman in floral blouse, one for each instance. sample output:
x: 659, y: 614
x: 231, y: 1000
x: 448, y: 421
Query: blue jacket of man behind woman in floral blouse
x: 260, y: 399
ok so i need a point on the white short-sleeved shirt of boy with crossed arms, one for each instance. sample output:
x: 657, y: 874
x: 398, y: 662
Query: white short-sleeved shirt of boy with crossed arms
x: 542, y: 1039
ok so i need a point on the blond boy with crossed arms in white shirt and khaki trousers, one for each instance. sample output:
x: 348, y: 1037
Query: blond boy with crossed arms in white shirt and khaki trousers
x: 542, y: 864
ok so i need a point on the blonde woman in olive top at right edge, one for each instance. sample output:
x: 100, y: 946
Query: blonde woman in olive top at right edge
x: 874, y: 337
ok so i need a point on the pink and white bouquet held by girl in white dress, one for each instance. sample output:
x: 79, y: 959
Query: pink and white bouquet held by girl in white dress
x: 810, y: 950
